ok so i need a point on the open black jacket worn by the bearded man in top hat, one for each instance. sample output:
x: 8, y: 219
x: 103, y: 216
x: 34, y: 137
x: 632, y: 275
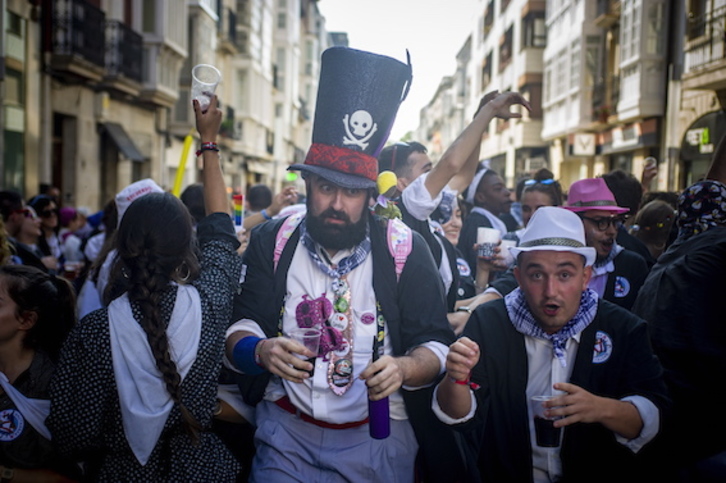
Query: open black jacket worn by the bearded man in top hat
x: 415, y: 311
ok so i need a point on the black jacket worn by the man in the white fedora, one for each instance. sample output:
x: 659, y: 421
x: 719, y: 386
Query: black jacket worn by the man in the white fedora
x: 589, y: 452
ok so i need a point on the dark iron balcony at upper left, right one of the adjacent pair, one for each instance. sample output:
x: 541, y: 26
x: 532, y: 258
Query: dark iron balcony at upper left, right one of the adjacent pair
x: 124, y: 50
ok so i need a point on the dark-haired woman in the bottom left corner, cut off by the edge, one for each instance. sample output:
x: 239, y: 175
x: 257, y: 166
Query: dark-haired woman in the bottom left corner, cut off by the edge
x: 37, y: 311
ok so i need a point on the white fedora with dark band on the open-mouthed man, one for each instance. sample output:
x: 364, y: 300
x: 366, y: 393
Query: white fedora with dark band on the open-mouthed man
x: 555, y: 229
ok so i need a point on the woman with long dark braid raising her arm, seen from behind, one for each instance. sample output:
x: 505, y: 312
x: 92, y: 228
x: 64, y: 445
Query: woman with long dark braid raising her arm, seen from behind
x: 136, y: 386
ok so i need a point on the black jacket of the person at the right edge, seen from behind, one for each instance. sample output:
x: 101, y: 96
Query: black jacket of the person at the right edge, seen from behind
x: 683, y: 302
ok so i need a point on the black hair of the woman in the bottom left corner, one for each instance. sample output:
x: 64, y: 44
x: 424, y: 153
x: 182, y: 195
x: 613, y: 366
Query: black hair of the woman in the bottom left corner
x: 52, y: 299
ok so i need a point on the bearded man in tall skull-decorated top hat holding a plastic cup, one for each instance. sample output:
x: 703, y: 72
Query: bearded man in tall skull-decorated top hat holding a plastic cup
x: 357, y: 280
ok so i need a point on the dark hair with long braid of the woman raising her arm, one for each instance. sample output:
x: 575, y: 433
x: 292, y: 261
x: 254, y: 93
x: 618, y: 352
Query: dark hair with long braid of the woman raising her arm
x: 153, y: 241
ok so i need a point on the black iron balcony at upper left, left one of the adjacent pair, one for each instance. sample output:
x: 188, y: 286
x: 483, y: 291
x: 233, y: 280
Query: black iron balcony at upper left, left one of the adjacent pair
x: 74, y: 38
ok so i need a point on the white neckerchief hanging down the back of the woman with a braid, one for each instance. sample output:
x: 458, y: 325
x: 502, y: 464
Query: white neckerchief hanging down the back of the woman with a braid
x: 145, y: 402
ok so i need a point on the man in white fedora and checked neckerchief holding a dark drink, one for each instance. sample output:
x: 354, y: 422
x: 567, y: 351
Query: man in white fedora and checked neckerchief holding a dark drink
x: 554, y: 336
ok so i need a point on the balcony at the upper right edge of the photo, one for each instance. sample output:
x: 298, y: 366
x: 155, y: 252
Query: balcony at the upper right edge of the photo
x: 705, y: 55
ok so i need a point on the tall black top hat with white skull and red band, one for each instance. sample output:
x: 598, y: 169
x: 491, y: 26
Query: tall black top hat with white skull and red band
x: 358, y: 98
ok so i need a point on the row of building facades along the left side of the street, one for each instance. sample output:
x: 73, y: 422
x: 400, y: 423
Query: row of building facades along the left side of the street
x: 97, y: 92
